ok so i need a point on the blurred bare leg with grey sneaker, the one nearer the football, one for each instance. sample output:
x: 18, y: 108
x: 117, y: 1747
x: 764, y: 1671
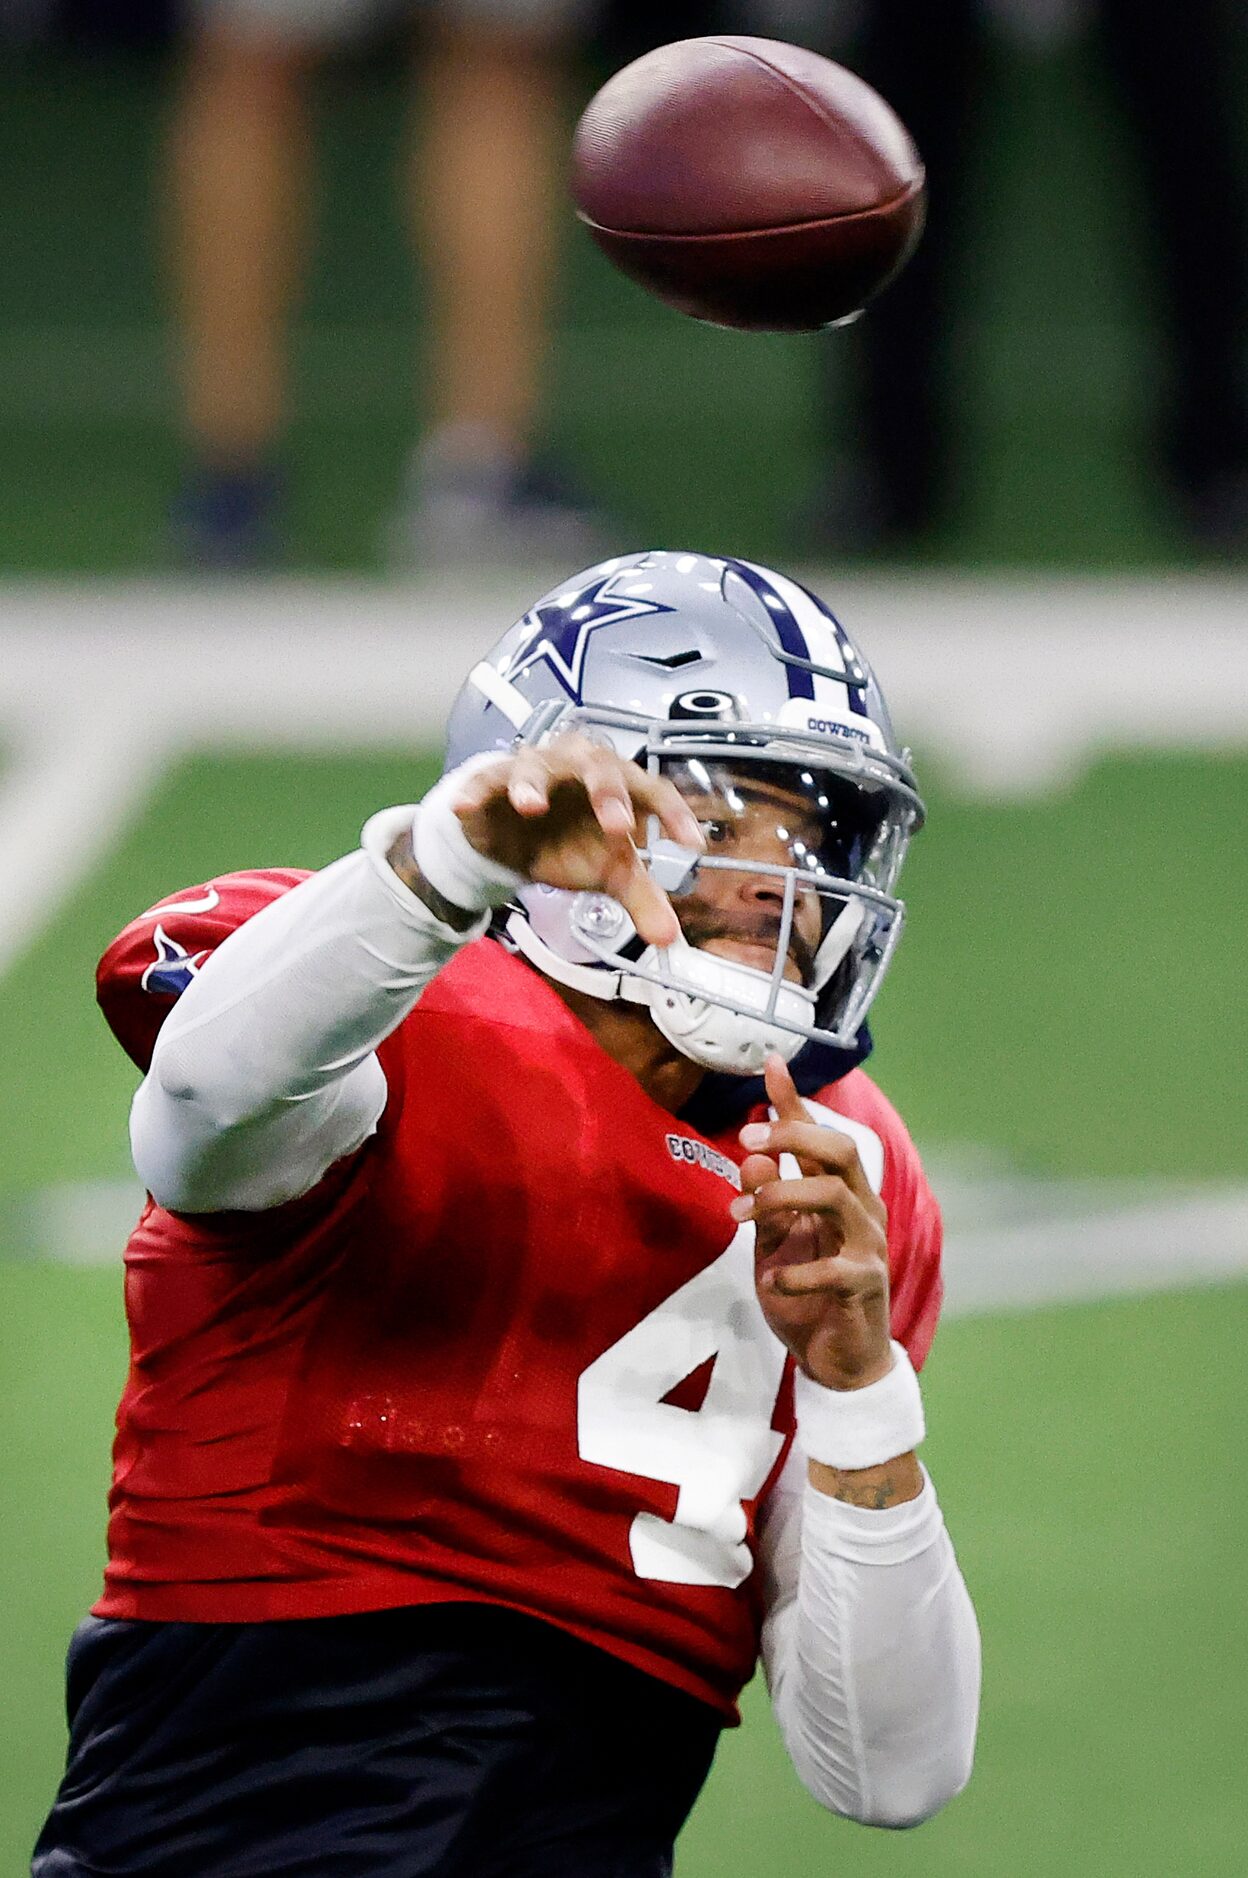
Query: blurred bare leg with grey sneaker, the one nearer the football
x: 485, y: 204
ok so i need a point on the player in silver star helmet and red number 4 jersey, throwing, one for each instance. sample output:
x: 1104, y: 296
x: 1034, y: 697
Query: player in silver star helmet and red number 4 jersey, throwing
x: 530, y: 1297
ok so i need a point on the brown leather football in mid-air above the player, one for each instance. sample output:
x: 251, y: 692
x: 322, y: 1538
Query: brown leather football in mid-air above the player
x: 750, y: 183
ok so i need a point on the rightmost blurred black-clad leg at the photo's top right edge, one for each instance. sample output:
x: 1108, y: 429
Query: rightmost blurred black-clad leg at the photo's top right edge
x: 1174, y: 82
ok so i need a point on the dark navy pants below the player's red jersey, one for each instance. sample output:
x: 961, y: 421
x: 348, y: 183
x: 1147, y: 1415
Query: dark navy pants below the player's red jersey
x: 442, y: 1742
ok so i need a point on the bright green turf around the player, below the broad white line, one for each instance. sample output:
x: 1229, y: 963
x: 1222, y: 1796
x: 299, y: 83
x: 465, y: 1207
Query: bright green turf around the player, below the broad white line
x: 1067, y: 998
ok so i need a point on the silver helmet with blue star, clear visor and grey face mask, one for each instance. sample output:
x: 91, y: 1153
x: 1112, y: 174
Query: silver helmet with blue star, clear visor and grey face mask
x: 748, y: 694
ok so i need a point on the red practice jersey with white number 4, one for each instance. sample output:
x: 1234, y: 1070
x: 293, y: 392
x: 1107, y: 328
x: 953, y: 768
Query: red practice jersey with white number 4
x: 506, y: 1353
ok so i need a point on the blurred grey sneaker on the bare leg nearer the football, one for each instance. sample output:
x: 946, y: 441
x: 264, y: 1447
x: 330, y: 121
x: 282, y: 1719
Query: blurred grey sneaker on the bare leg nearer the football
x: 470, y: 502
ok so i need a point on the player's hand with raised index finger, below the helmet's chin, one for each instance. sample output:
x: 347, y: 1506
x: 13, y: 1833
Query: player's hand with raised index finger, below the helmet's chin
x: 821, y: 1242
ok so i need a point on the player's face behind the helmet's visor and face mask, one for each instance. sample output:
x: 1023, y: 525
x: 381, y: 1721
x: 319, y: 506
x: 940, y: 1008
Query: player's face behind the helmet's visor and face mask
x: 748, y: 818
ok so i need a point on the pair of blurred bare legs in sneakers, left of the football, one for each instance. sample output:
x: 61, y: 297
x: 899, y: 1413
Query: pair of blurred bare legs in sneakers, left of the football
x: 485, y: 198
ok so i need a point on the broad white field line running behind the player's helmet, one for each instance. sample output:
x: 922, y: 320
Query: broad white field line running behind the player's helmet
x: 1012, y: 685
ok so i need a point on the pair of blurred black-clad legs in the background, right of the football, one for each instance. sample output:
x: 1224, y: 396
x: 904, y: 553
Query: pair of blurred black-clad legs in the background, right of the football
x: 1174, y: 82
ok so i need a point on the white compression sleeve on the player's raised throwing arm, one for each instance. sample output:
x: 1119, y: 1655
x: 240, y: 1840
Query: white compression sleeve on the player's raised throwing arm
x: 266, y: 1070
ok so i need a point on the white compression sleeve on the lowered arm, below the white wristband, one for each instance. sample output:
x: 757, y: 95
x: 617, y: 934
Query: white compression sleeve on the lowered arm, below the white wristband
x: 872, y: 1652
